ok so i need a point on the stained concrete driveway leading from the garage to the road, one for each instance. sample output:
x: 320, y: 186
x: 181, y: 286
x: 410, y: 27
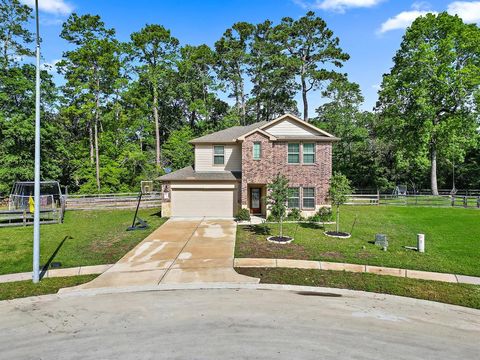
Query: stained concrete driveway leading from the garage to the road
x: 180, y: 251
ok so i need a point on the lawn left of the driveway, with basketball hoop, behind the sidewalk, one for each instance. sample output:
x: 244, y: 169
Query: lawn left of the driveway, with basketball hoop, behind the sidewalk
x: 85, y: 238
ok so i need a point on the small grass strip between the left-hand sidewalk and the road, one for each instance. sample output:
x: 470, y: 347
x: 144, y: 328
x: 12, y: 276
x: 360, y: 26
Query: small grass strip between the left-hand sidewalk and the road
x: 19, y: 289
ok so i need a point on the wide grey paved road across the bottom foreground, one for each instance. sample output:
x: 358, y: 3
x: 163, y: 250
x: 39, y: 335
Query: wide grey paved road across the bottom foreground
x: 236, y: 324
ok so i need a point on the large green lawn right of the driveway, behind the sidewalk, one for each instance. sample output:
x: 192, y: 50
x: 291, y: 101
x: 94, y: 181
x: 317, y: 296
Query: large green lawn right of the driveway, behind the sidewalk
x: 452, y: 239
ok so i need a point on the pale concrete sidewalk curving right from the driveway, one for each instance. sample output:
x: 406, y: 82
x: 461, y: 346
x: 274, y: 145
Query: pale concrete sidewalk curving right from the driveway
x: 378, y: 270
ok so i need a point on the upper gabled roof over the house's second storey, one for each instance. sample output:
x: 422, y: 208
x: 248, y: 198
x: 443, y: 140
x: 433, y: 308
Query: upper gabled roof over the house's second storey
x: 235, y: 133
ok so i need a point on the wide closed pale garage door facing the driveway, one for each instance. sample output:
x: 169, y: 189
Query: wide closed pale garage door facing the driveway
x: 202, y: 202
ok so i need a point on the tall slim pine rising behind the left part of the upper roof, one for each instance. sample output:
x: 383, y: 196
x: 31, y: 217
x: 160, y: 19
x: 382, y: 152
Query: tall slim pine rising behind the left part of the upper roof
x: 232, y: 61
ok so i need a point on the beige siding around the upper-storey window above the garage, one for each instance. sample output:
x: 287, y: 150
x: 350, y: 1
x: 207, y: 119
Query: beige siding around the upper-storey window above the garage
x: 204, y: 158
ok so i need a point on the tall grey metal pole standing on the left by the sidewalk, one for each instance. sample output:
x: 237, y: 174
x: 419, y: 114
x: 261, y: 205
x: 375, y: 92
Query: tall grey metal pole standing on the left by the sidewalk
x: 36, y: 215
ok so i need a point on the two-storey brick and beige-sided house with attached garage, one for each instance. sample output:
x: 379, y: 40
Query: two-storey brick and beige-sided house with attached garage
x: 233, y: 167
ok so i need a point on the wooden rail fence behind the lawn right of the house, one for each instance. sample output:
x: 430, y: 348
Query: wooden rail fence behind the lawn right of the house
x: 415, y: 200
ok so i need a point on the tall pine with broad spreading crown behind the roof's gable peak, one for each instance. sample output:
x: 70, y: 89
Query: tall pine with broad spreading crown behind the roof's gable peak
x: 312, y: 51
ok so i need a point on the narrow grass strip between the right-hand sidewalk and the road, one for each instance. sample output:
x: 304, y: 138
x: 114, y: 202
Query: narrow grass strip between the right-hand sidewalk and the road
x: 456, y: 294
